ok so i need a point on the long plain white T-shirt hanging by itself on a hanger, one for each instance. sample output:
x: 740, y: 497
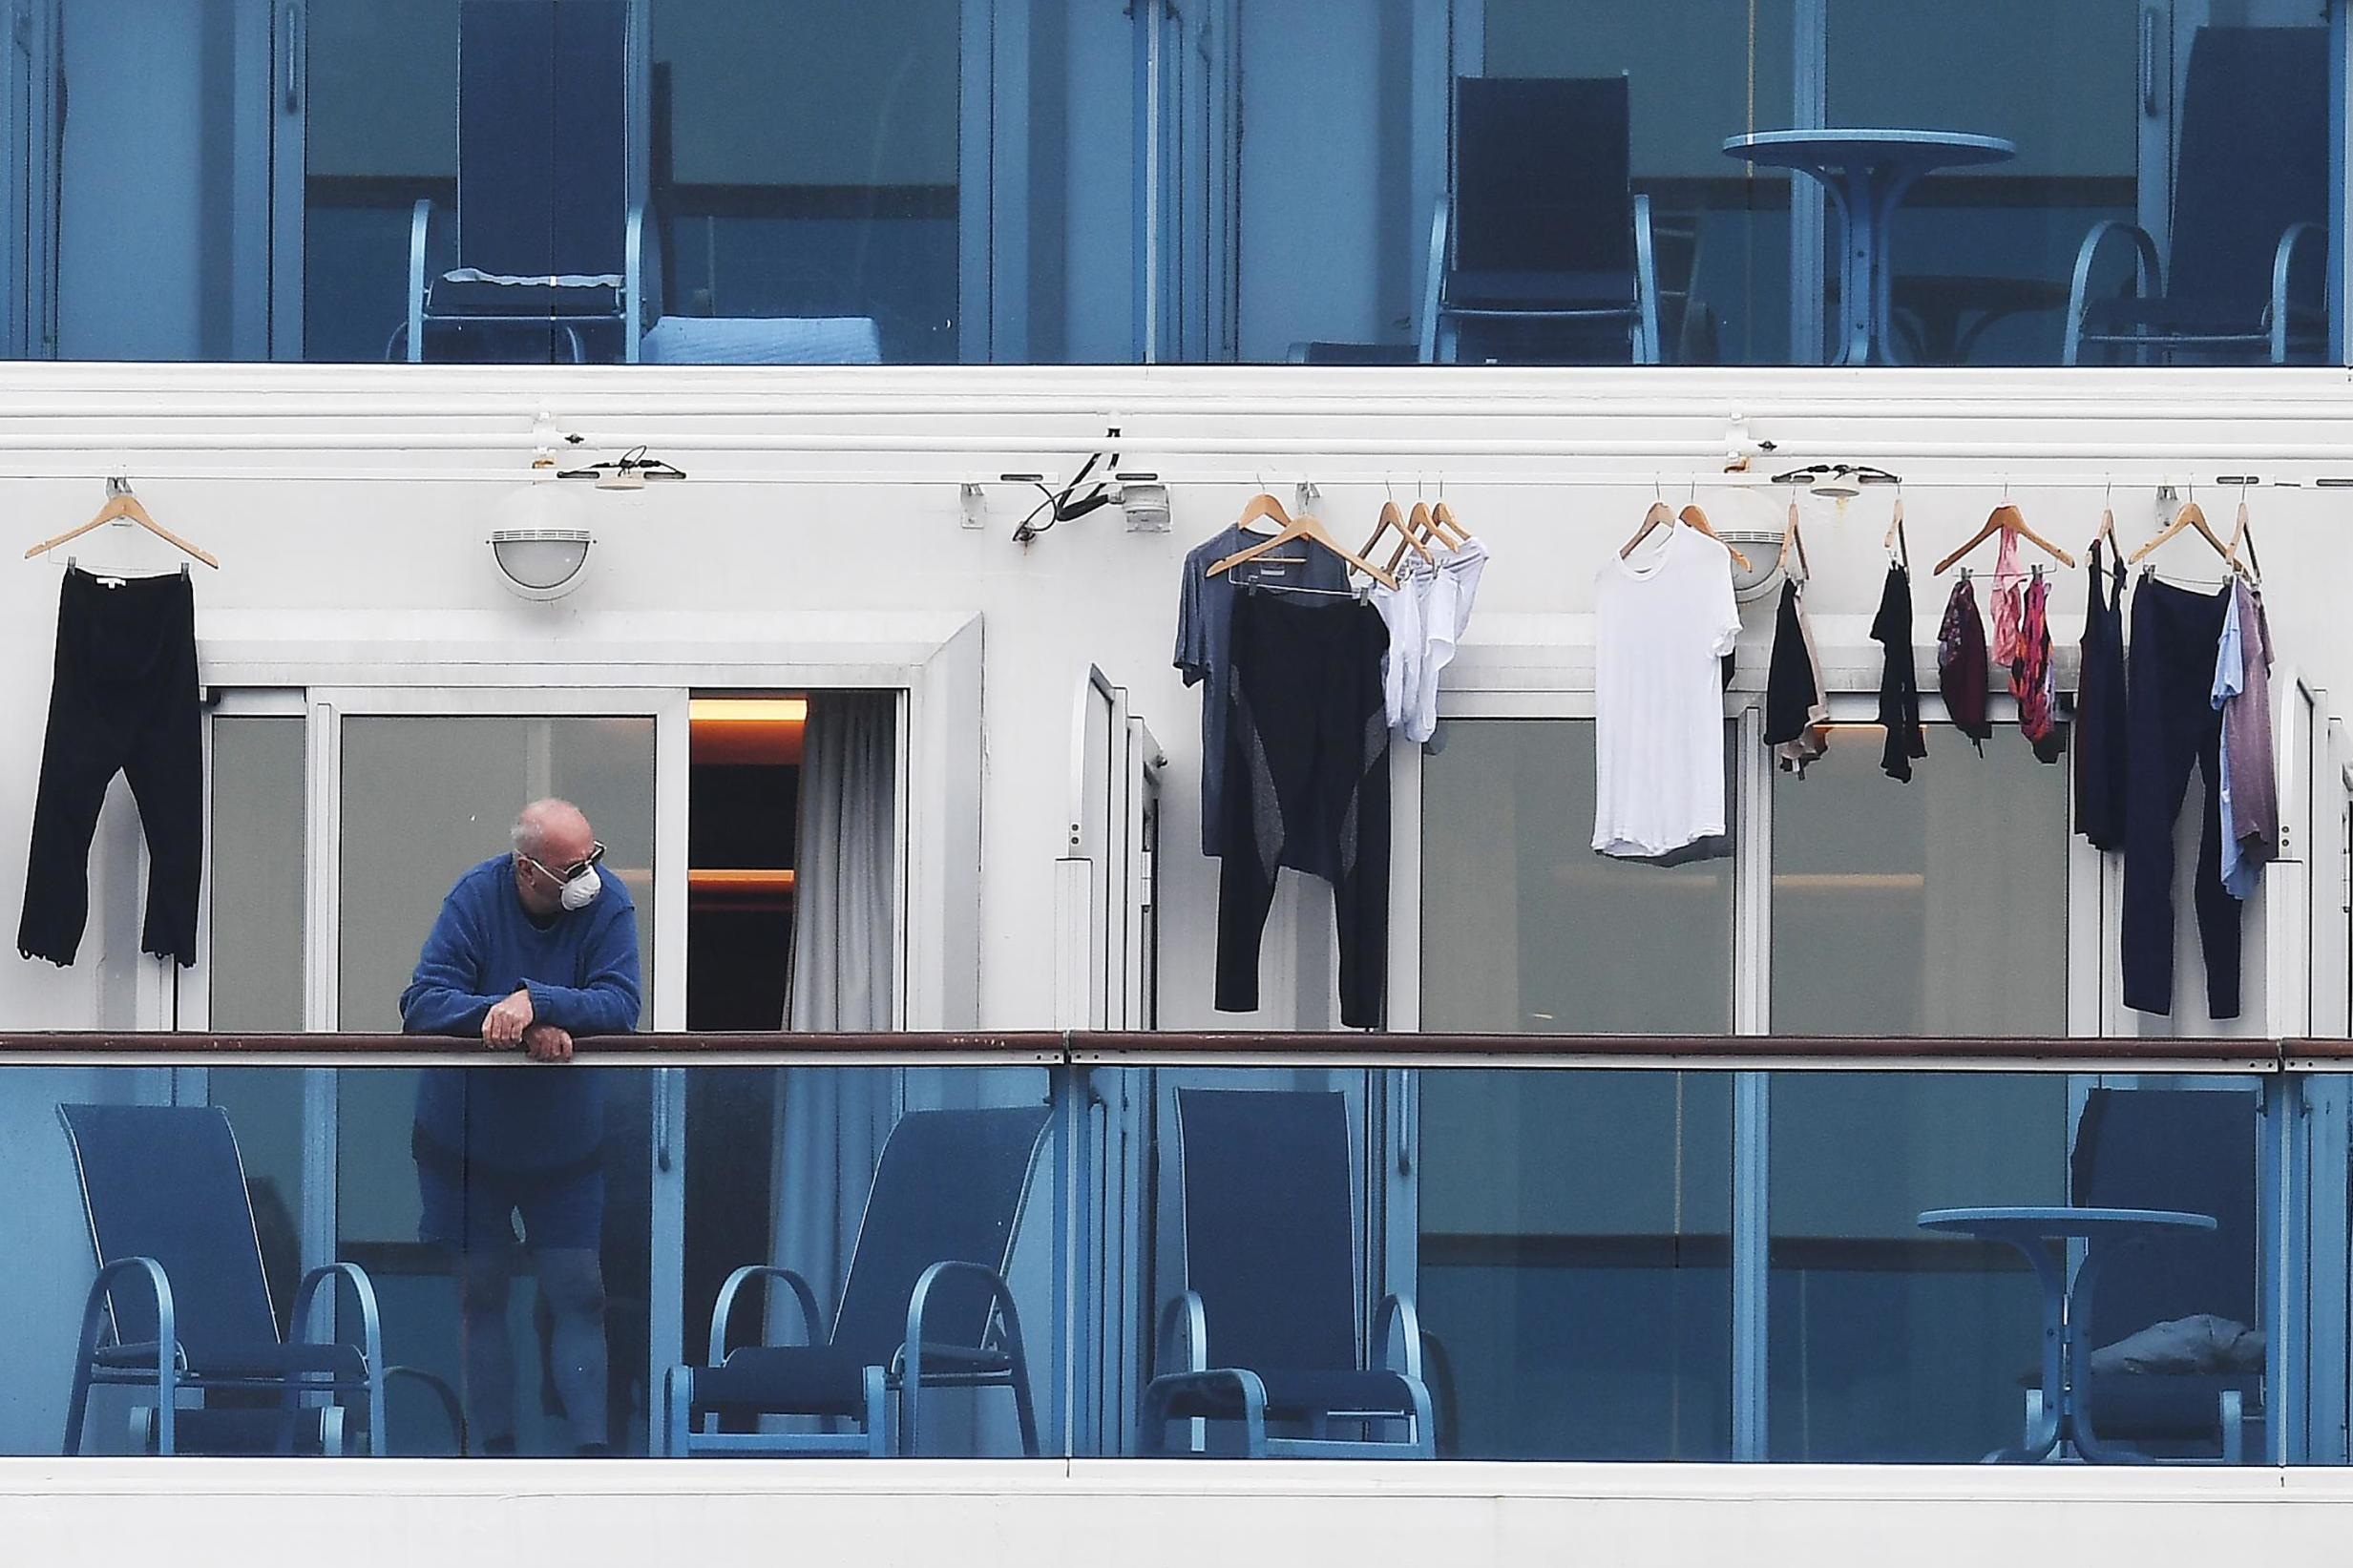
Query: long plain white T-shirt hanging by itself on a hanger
x: 1662, y: 624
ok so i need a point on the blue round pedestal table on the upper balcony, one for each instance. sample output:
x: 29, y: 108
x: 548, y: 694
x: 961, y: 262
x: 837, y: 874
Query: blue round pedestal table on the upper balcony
x: 1867, y: 173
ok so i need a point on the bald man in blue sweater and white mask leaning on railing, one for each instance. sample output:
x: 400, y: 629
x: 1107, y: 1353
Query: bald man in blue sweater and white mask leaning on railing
x: 531, y: 949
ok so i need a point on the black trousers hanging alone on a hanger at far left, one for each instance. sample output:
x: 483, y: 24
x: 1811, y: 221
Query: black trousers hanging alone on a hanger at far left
x: 124, y: 702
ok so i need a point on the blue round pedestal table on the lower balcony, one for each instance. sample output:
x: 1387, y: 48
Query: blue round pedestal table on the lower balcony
x: 2067, y: 1360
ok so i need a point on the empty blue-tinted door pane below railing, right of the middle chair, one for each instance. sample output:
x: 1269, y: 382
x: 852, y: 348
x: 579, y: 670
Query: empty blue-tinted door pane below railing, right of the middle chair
x: 1575, y: 1264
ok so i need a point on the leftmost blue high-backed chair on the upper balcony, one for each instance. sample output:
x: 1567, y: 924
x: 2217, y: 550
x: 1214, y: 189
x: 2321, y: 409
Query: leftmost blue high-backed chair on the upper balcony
x: 547, y: 248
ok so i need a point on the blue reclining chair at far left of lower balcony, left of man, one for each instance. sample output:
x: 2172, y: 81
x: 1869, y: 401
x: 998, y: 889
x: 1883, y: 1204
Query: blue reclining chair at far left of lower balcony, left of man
x: 182, y: 1304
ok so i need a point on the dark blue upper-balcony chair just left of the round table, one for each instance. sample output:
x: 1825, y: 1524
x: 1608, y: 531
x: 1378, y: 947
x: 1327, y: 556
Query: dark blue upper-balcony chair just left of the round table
x: 1542, y: 250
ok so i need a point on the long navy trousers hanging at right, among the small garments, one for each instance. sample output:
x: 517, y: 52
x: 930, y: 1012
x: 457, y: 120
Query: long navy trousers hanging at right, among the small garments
x: 2173, y: 730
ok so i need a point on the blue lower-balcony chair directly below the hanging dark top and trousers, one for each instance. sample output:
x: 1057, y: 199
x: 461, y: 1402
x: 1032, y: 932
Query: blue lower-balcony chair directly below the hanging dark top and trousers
x: 1269, y: 1315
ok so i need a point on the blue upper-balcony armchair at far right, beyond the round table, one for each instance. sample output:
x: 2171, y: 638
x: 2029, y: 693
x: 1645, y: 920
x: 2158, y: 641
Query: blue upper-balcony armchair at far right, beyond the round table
x: 2251, y: 201
